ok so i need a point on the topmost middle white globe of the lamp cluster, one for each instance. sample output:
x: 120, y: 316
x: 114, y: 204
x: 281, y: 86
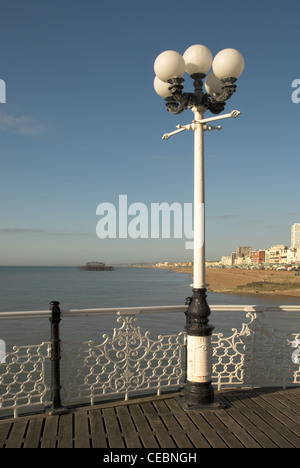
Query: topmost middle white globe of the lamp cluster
x: 198, y: 59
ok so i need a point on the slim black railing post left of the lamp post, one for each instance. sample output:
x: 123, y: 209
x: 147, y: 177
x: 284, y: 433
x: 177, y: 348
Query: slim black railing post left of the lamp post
x: 56, y: 407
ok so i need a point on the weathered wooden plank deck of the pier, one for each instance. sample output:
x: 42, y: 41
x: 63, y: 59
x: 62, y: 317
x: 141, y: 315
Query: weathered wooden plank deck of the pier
x: 260, y: 418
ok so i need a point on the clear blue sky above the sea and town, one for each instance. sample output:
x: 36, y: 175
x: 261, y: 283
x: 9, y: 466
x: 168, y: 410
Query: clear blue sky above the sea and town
x: 82, y: 125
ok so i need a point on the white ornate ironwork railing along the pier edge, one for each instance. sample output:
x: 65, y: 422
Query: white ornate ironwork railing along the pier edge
x: 128, y: 360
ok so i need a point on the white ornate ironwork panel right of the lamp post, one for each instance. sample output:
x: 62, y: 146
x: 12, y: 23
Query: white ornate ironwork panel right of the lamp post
x: 256, y: 356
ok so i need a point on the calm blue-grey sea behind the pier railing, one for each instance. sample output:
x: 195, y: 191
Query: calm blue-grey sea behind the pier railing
x: 33, y: 288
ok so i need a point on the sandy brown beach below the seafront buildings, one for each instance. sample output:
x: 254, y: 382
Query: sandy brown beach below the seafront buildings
x: 239, y: 281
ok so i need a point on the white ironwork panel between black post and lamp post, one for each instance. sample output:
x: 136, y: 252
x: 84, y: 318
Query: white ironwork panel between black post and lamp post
x: 127, y: 362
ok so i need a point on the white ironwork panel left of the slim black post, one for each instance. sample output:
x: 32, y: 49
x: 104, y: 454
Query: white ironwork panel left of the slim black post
x: 23, y: 377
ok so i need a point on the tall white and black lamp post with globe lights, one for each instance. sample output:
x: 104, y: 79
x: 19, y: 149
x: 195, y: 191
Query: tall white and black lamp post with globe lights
x: 169, y: 68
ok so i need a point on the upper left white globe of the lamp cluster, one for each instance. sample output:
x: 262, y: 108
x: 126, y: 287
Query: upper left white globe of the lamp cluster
x: 169, y: 64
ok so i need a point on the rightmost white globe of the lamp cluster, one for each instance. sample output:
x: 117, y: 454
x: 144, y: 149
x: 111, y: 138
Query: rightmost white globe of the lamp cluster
x: 228, y: 63
